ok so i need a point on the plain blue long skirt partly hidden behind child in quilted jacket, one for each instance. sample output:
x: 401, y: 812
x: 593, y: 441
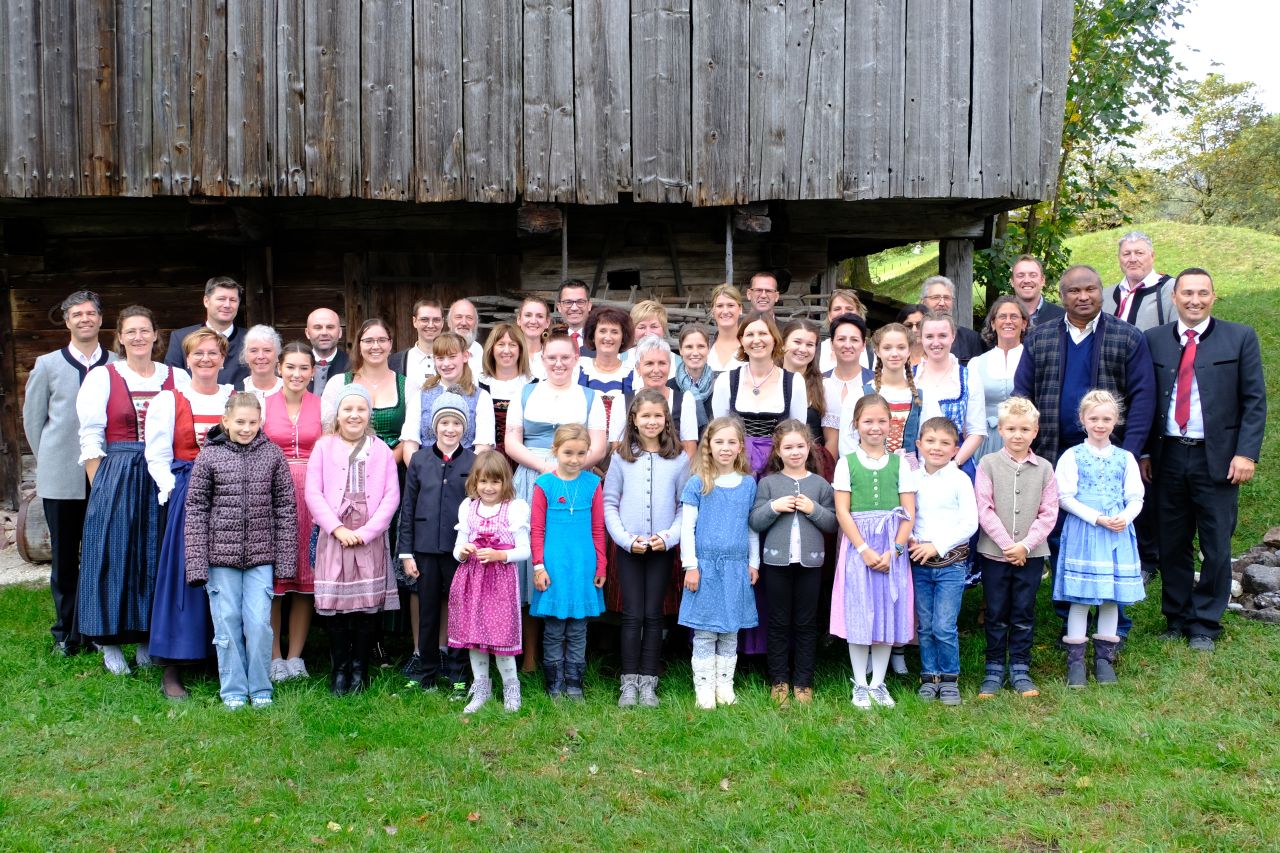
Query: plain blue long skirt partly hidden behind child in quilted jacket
x: 182, y: 628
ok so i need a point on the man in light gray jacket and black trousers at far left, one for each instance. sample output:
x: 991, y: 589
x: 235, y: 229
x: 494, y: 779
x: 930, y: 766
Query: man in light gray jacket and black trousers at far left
x: 53, y: 431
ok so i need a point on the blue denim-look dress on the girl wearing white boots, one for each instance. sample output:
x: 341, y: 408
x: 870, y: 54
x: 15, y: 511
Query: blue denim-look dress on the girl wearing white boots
x: 725, y: 601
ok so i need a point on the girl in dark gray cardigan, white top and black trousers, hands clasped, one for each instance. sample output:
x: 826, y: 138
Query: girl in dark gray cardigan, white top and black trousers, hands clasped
x: 794, y: 508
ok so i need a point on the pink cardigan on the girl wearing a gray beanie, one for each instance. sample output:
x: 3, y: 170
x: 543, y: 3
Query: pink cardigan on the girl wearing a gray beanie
x: 327, y: 482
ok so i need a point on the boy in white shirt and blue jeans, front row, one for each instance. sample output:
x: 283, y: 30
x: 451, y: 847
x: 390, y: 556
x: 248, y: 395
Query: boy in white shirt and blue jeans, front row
x: 947, y: 517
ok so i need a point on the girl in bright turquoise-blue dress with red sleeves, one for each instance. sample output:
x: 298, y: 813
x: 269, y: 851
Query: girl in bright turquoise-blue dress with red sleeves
x: 569, y: 559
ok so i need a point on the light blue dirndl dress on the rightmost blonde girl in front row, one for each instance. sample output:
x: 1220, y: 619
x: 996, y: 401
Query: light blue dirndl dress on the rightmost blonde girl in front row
x: 1096, y: 565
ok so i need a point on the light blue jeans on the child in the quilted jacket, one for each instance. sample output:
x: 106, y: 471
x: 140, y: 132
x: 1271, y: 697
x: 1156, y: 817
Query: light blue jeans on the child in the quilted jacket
x: 240, y: 601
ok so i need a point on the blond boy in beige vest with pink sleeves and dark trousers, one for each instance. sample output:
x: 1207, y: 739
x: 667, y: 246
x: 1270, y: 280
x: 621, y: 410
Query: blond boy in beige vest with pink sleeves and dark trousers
x: 1017, y: 495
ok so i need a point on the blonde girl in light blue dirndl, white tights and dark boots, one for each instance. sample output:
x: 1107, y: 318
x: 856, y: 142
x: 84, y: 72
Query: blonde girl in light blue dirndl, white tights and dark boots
x: 1100, y: 487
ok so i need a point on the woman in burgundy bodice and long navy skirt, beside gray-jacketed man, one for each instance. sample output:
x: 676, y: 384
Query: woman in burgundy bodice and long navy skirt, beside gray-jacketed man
x: 122, y: 524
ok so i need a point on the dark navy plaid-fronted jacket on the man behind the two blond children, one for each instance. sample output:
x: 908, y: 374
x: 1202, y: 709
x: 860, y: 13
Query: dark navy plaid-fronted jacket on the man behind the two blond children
x: 1122, y: 366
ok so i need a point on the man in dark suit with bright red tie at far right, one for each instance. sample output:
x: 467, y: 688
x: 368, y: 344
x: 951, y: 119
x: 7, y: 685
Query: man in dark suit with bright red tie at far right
x: 1212, y: 412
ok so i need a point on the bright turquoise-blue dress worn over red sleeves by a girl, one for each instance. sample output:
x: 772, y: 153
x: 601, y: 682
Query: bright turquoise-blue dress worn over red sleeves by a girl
x: 569, y: 553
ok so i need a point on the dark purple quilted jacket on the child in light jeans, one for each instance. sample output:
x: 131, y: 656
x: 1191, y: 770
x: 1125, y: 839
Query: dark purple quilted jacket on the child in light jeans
x: 241, y: 509
